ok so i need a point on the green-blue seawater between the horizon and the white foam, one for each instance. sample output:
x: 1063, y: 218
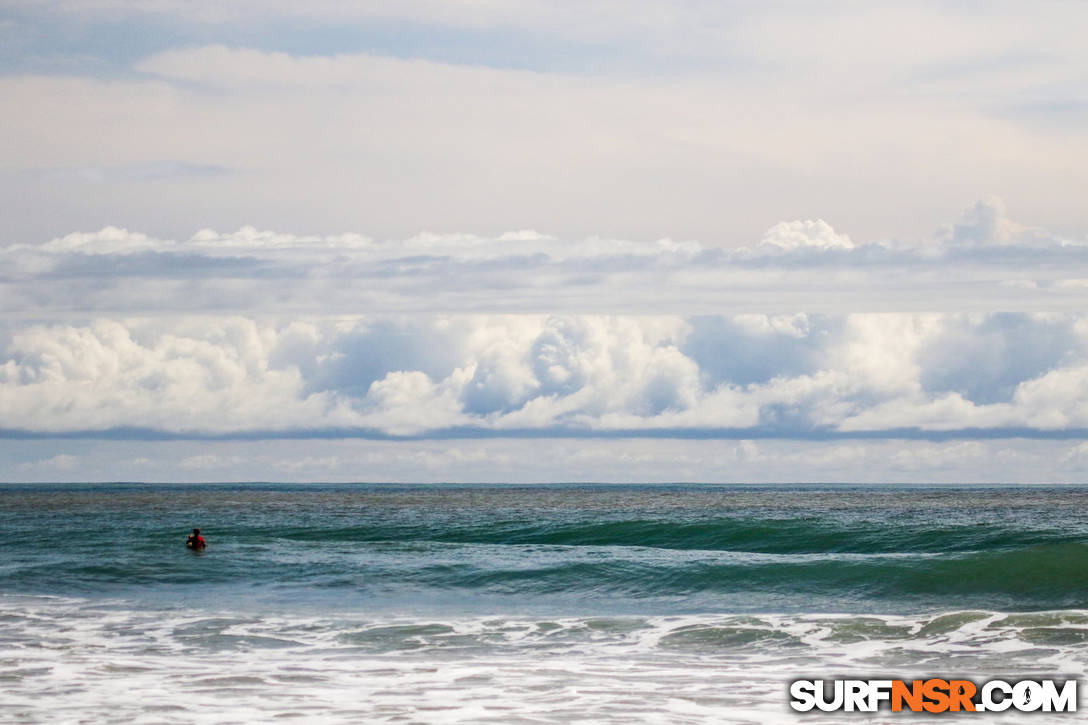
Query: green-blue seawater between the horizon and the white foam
x: 553, y: 549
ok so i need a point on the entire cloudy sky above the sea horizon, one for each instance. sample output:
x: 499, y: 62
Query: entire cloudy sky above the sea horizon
x: 521, y: 241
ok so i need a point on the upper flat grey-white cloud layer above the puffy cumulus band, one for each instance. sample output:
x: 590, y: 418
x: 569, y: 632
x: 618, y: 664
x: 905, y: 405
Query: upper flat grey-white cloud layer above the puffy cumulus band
x: 981, y: 263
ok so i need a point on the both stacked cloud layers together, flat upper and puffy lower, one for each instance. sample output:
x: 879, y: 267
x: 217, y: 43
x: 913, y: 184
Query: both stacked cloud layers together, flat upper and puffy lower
x: 257, y: 334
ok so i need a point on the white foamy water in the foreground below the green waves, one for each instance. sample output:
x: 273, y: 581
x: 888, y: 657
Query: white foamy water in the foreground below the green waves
x: 71, y: 660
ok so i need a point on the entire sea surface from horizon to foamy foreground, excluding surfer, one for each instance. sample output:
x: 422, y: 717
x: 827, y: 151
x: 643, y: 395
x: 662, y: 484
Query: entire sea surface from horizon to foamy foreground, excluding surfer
x: 365, y: 604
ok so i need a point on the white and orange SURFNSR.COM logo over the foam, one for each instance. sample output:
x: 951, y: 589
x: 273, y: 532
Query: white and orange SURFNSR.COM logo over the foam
x: 934, y: 696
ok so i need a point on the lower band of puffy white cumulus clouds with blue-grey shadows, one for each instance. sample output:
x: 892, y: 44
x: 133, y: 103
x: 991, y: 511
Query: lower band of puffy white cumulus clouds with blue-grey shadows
x: 772, y: 376
